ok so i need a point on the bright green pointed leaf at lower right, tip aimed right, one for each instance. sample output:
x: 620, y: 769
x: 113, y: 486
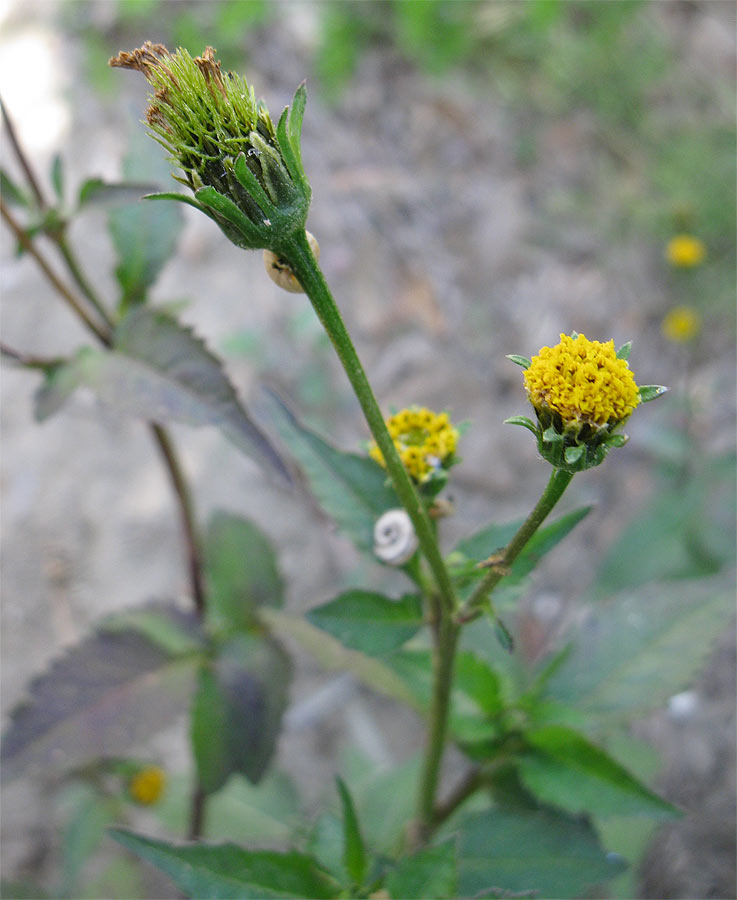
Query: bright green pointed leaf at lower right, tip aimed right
x: 562, y: 768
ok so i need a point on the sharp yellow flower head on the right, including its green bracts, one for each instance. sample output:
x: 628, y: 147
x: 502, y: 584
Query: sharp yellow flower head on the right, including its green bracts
x: 582, y: 392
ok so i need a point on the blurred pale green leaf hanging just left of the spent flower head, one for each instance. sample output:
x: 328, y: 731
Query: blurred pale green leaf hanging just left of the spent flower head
x: 144, y: 235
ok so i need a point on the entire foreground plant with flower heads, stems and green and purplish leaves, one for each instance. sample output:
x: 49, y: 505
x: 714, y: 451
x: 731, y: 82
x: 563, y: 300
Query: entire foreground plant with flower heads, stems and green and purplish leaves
x: 518, y: 814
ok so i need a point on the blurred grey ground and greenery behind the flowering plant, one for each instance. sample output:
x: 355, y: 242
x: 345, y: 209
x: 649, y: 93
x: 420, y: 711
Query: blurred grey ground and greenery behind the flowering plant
x: 486, y: 175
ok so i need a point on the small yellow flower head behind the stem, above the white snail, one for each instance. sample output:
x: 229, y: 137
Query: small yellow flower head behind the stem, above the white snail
x: 426, y: 441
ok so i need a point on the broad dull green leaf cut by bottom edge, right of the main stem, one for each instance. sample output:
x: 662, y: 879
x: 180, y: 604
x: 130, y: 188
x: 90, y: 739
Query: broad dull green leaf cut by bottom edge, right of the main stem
x: 537, y: 851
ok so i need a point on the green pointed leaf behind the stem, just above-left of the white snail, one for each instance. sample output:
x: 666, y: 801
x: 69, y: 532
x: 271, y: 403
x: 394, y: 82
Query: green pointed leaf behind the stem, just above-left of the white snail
x: 352, y: 489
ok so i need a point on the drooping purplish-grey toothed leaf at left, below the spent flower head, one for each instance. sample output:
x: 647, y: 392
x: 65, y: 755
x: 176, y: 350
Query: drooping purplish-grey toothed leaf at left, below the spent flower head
x: 160, y: 371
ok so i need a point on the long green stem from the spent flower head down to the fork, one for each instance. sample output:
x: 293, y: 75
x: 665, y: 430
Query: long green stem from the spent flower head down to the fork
x: 297, y: 253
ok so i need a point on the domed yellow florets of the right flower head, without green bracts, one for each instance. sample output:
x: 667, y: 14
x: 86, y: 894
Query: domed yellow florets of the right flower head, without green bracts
x: 583, y: 382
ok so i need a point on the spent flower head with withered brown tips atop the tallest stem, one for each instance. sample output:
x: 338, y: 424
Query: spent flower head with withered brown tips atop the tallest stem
x: 246, y: 173
